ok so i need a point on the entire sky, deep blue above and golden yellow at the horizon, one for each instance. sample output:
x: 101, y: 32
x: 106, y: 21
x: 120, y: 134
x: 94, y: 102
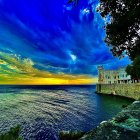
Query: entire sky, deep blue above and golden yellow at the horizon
x: 51, y: 42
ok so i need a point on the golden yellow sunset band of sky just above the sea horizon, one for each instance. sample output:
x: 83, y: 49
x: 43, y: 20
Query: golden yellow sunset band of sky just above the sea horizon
x: 14, y: 70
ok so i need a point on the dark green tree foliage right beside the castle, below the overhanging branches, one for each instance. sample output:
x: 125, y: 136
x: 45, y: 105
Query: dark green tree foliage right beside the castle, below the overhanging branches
x: 134, y: 68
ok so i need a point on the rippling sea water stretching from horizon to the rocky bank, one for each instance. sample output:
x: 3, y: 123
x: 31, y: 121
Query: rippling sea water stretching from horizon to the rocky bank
x: 44, y: 111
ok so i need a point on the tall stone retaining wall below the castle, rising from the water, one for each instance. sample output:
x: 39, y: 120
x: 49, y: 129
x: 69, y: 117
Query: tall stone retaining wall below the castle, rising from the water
x: 126, y: 90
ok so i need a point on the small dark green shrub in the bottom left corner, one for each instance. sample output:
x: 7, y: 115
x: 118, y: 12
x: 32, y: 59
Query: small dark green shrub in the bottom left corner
x: 13, y: 134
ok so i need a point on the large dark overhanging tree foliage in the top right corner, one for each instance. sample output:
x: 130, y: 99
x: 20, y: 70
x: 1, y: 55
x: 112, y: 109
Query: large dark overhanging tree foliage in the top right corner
x: 122, y: 32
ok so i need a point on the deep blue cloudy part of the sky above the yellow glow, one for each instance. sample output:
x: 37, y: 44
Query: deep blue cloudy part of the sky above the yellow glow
x: 57, y: 37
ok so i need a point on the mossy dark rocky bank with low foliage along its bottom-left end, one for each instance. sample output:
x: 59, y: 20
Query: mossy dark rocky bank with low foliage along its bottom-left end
x: 125, y: 125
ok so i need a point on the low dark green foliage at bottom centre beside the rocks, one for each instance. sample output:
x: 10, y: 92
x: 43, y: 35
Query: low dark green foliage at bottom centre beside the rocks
x: 70, y: 135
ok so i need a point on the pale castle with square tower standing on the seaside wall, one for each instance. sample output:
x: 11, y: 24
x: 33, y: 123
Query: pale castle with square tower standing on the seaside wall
x: 118, y: 76
